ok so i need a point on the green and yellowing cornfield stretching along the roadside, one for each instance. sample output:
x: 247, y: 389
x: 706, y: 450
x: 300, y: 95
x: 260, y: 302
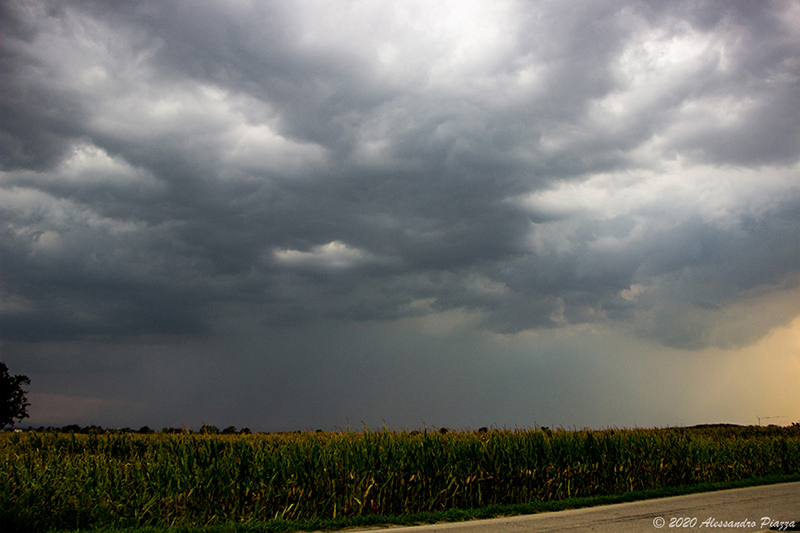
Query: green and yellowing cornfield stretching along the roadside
x: 56, y: 480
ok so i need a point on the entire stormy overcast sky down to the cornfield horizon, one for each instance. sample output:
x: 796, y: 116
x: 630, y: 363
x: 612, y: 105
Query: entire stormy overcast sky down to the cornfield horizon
x: 308, y: 214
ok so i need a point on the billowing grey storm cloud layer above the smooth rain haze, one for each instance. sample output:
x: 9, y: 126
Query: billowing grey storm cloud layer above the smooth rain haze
x: 167, y: 167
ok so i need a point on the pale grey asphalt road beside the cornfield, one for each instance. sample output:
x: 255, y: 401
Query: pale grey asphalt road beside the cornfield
x: 748, y: 509
